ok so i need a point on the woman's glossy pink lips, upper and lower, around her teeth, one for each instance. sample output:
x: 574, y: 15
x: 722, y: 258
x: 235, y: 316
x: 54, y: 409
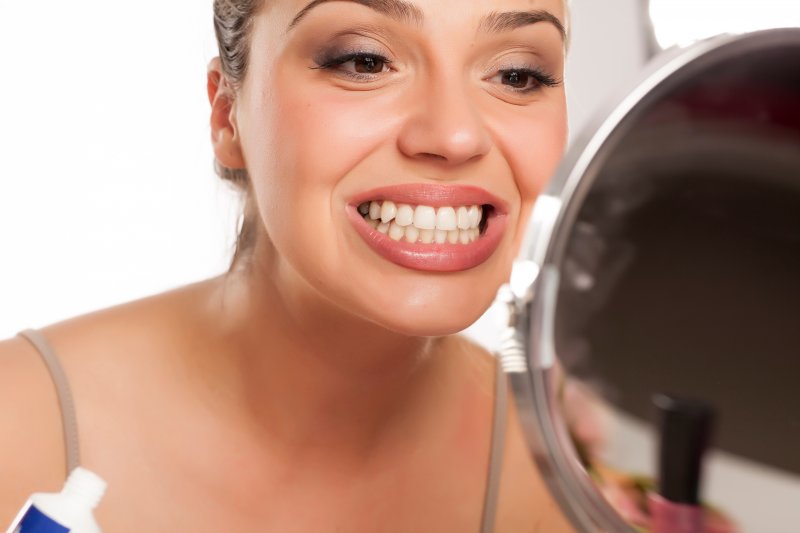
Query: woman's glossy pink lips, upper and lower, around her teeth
x: 433, y: 257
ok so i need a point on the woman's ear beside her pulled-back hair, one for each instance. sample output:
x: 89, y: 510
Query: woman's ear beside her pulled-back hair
x: 224, y: 133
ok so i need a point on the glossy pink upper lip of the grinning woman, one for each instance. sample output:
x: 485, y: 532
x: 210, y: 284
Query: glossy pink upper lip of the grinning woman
x: 433, y: 195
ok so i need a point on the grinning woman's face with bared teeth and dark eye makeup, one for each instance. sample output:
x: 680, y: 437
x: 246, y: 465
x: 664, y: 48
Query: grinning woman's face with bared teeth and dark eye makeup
x: 442, y: 119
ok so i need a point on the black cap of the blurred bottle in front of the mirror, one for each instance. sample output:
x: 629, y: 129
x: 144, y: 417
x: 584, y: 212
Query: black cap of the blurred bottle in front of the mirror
x: 685, y: 427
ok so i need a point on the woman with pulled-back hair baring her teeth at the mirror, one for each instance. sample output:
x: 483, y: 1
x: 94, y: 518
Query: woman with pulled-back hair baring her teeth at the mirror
x: 390, y: 153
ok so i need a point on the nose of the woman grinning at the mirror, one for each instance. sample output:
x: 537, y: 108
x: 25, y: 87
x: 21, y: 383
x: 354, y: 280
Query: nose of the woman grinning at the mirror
x: 444, y: 124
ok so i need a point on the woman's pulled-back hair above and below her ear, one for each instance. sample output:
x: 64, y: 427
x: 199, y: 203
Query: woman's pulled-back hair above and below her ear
x: 233, y: 21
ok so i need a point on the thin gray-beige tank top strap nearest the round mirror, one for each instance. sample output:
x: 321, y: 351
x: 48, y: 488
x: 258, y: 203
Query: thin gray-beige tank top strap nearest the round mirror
x: 497, y: 449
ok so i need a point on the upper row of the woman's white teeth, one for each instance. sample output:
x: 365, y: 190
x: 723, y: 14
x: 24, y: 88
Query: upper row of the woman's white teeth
x: 424, y: 217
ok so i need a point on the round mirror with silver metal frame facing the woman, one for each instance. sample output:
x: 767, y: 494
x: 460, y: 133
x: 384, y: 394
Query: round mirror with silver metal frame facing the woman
x: 654, y: 341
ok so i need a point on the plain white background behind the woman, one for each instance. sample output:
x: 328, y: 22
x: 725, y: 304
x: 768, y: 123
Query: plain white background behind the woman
x: 107, y: 191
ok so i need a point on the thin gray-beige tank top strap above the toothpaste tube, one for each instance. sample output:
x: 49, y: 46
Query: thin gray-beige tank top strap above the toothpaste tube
x: 69, y: 420
